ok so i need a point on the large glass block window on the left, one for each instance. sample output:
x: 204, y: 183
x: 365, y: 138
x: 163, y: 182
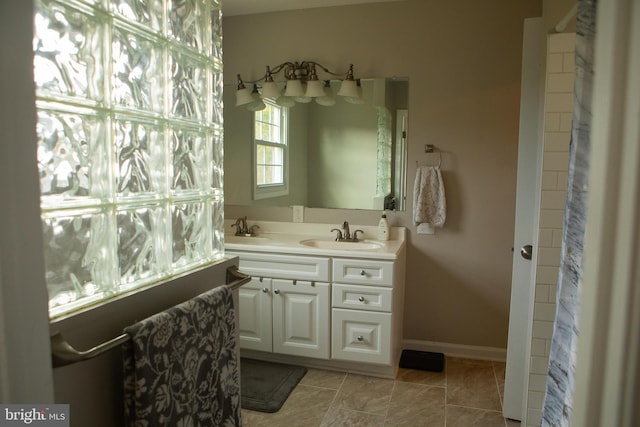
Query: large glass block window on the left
x: 129, y: 100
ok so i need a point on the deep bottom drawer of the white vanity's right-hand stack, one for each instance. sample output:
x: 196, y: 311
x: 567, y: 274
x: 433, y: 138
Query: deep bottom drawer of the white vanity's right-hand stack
x: 361, y: 336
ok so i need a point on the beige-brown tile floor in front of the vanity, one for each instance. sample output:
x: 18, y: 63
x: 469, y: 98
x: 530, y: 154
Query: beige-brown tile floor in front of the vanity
x: 467, y: 393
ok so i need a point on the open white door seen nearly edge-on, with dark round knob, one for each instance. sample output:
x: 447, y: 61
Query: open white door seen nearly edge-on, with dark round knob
x: 527, y: 215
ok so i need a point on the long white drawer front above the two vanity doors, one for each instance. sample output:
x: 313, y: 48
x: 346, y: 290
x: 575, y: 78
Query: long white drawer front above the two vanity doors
x: 283, y: 266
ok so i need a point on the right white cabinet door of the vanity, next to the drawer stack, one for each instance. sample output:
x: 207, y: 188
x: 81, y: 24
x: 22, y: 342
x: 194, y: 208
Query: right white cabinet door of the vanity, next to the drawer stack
x: 301, y: 318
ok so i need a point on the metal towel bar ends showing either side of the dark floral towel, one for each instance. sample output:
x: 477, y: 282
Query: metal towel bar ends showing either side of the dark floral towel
x: 62, y: 353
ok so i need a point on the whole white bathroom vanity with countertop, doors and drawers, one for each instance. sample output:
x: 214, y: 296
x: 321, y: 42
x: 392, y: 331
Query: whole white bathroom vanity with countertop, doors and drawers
x: 316, y: 302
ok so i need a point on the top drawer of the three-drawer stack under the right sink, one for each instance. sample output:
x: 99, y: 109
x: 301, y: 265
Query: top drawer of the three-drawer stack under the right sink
x: 361, y: 272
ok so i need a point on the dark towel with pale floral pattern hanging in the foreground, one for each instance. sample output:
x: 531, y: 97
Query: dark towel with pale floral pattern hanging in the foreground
x: 181, y: 365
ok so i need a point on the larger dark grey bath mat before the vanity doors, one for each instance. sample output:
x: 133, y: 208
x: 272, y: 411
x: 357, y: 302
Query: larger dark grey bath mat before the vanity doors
x: 265, y: 386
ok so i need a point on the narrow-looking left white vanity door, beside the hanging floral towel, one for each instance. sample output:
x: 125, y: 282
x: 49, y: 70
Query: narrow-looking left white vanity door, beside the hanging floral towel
x: 255, y: 315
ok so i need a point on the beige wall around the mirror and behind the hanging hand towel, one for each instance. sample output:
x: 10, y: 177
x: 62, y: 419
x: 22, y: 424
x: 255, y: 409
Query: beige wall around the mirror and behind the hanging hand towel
x: 463, y: 59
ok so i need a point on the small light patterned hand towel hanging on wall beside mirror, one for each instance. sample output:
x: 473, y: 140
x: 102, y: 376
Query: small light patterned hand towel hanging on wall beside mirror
x: 429, y: 202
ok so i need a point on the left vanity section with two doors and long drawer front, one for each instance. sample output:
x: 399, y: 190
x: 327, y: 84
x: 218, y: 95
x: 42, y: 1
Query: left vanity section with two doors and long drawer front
x: 285, y: 308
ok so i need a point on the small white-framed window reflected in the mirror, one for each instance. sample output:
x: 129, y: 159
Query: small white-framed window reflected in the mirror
x: 270, y: 151
